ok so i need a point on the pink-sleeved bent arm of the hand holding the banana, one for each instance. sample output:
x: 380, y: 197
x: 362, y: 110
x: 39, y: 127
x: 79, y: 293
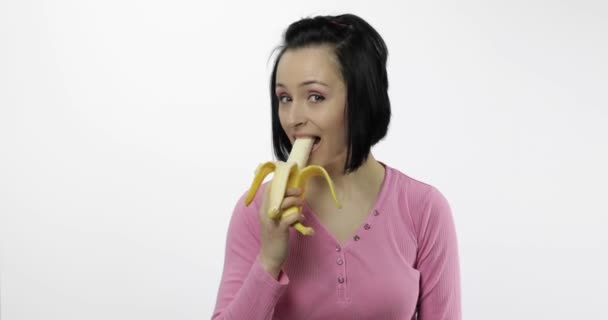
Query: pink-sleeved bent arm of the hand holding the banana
x: 246, y: 290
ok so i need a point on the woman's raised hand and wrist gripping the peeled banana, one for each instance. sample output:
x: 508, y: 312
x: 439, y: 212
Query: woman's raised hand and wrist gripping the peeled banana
x: 274, y: 233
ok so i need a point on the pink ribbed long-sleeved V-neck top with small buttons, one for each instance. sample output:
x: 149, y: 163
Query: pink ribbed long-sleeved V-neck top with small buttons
x: 401, y: 262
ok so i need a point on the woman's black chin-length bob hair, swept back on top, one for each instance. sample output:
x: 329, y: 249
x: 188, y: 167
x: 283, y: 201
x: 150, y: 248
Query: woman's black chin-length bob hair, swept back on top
x: 361, y: 54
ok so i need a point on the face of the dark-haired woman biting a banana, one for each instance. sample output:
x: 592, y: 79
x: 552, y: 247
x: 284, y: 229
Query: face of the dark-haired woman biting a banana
x: 312, y: 100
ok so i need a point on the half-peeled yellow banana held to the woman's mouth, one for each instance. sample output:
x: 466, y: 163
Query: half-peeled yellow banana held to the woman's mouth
x: 290, y: 174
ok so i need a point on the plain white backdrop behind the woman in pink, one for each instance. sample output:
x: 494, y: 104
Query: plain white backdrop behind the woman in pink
x: 128, y: 129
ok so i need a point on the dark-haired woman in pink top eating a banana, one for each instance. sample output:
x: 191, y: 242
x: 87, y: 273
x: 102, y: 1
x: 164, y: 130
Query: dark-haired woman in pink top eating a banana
x: 390, y: 252
